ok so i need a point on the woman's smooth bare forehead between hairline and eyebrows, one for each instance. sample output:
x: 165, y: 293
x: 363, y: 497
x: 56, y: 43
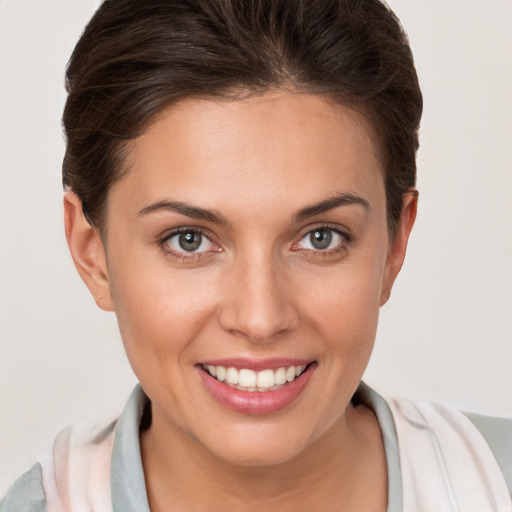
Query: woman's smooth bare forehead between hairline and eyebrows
x: 256, y: 150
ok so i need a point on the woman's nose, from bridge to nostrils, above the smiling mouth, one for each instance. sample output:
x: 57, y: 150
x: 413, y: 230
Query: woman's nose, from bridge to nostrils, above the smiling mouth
x: 258, y: 301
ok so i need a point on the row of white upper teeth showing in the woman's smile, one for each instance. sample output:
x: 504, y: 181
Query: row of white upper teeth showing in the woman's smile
x: 245, y: 379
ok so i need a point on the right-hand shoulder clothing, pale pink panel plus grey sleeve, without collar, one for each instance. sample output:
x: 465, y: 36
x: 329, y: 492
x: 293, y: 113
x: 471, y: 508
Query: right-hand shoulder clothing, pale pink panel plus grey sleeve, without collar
x: 467, y: 456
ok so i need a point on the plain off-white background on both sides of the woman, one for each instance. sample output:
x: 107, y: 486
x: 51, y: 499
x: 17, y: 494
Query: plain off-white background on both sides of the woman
x: 446, y: 335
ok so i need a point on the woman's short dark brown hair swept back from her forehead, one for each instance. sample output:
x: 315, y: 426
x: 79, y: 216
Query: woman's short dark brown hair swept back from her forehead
x: 136, y: 57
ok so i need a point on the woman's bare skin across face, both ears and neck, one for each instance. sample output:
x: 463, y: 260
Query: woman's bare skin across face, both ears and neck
x: 269, y: 279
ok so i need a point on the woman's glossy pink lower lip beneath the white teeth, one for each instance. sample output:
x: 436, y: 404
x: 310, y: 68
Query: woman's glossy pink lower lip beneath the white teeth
x: 256, y: 402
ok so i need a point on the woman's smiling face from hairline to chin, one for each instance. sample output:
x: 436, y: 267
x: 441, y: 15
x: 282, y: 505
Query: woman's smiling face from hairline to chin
x: 250, y: 235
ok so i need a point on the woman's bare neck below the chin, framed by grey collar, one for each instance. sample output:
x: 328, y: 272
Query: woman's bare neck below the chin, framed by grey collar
x: 345, y: 465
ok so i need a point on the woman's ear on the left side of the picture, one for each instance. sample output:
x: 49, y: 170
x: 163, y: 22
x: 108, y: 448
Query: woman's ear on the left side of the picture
x: 87, y: 251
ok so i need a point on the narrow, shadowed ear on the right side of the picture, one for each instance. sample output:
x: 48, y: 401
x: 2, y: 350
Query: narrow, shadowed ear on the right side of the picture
x: 398, y: 244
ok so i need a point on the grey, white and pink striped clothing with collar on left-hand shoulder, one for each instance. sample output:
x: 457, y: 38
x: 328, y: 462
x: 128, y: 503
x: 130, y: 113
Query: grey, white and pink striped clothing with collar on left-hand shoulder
x: 76, y: 468
